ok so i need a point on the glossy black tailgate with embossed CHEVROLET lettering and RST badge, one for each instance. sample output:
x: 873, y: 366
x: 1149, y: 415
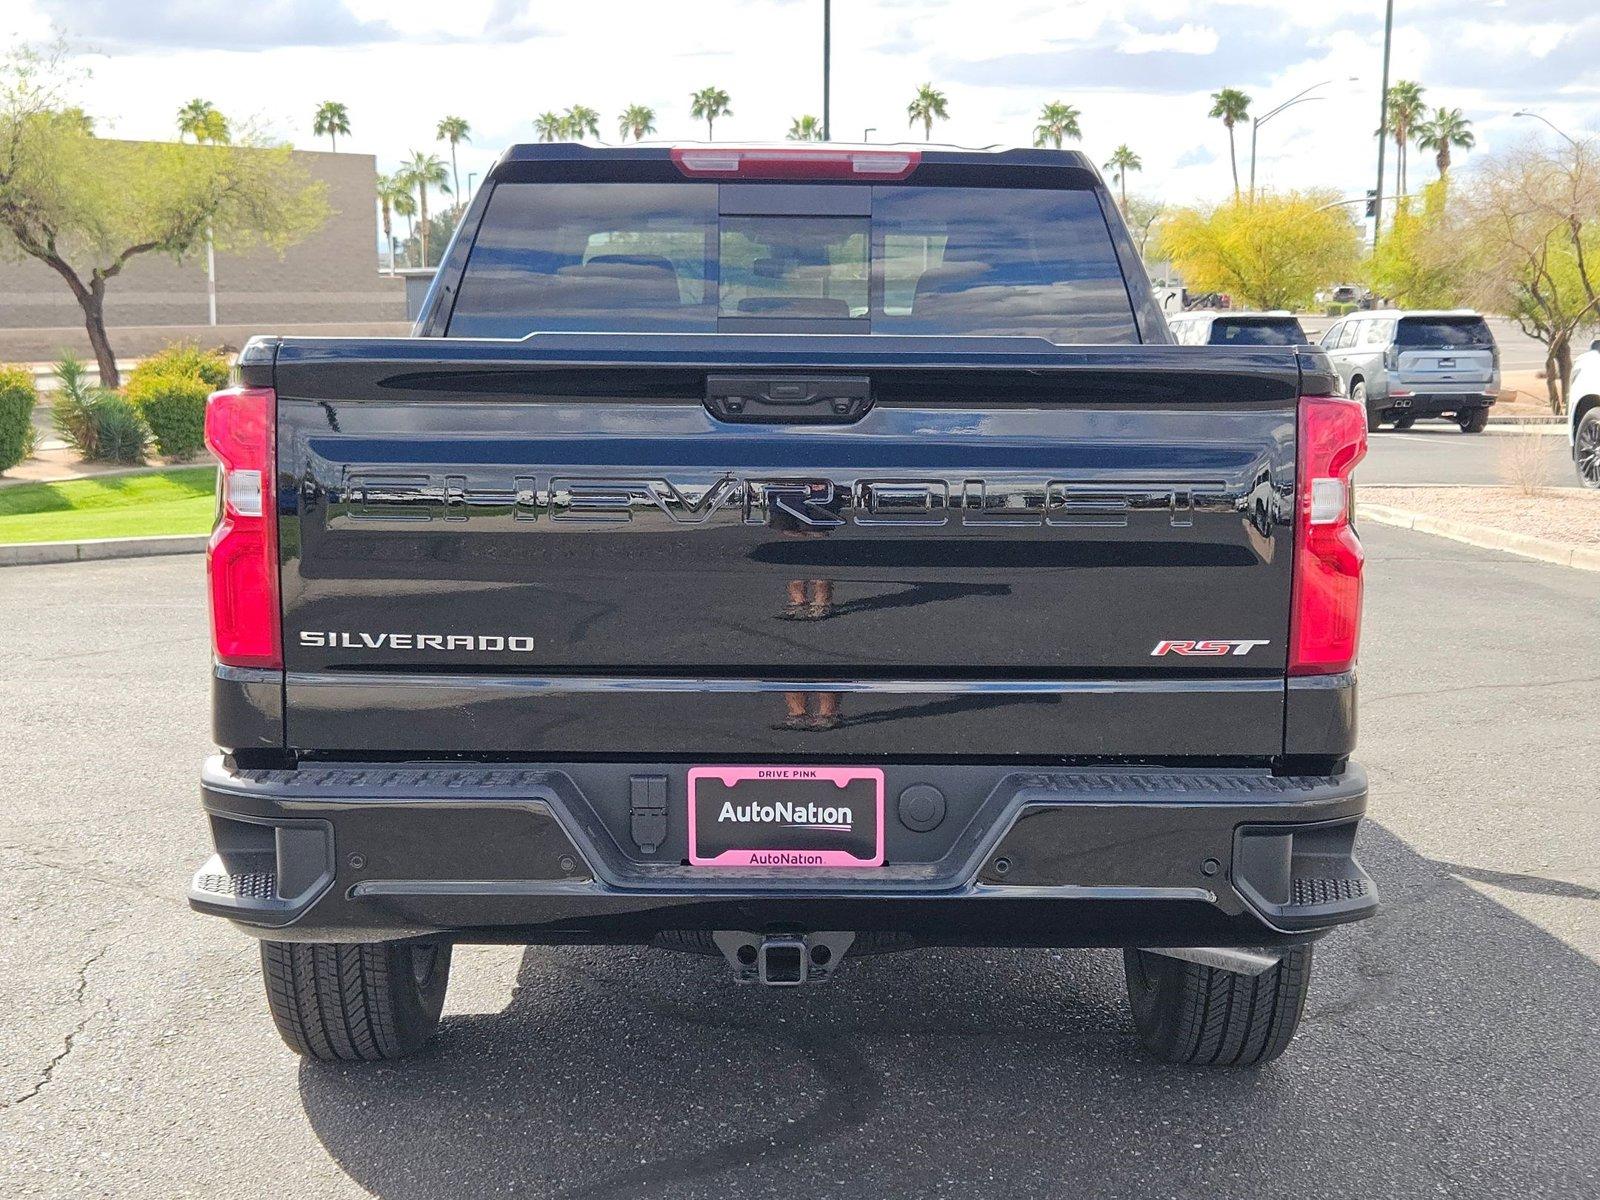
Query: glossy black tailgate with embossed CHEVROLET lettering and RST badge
x: 489, y: 548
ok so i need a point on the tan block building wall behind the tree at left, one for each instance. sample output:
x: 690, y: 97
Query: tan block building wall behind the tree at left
x: 329, y: 278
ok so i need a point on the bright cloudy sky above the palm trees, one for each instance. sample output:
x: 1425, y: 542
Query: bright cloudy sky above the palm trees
x: 1140, y: 73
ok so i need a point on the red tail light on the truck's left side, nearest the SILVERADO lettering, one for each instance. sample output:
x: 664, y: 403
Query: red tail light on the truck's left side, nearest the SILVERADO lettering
x: 242, y: 559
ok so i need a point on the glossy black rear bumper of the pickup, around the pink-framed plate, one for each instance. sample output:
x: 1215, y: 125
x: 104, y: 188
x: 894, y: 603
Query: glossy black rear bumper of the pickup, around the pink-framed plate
x: 1114, y: 857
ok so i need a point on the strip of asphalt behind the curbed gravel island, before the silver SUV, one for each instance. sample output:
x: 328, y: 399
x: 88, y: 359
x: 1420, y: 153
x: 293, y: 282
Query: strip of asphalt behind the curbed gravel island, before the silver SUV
x: 1438, y: 452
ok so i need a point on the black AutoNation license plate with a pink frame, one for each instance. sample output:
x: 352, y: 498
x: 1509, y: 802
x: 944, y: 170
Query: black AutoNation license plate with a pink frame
x: 786, y: 817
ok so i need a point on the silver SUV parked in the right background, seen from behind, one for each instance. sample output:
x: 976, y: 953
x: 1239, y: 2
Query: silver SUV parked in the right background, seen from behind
x: 1404, y: 366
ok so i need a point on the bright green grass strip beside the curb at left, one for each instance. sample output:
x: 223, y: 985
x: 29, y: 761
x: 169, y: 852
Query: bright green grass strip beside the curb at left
x: 118, y: 506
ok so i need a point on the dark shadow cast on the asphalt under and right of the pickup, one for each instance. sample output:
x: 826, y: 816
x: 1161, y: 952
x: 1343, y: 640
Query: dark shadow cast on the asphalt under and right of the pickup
x: 1450, y: 1049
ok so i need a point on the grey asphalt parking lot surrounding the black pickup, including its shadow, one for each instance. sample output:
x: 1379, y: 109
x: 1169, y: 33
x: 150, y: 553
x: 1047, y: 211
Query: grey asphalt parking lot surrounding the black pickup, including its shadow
x: 1450, y: 1047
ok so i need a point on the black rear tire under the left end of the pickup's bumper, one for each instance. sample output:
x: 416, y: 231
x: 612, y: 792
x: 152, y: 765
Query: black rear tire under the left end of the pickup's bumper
x: 361, y: 1002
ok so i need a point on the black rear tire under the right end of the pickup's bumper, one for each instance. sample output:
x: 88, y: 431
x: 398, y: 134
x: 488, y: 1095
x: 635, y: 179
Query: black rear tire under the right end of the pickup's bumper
x: 1204, y: 1017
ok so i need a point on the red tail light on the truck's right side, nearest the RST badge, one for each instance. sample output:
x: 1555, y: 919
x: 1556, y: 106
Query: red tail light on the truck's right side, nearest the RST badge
x: 1326, y: 618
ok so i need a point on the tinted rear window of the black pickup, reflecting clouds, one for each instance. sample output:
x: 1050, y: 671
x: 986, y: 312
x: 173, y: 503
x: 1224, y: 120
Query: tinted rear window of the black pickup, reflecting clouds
x: 641, y: 258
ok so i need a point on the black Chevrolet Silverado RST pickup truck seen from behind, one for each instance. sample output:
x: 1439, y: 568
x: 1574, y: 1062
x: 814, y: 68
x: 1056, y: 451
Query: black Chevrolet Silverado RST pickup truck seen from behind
x: 786, y: 554
